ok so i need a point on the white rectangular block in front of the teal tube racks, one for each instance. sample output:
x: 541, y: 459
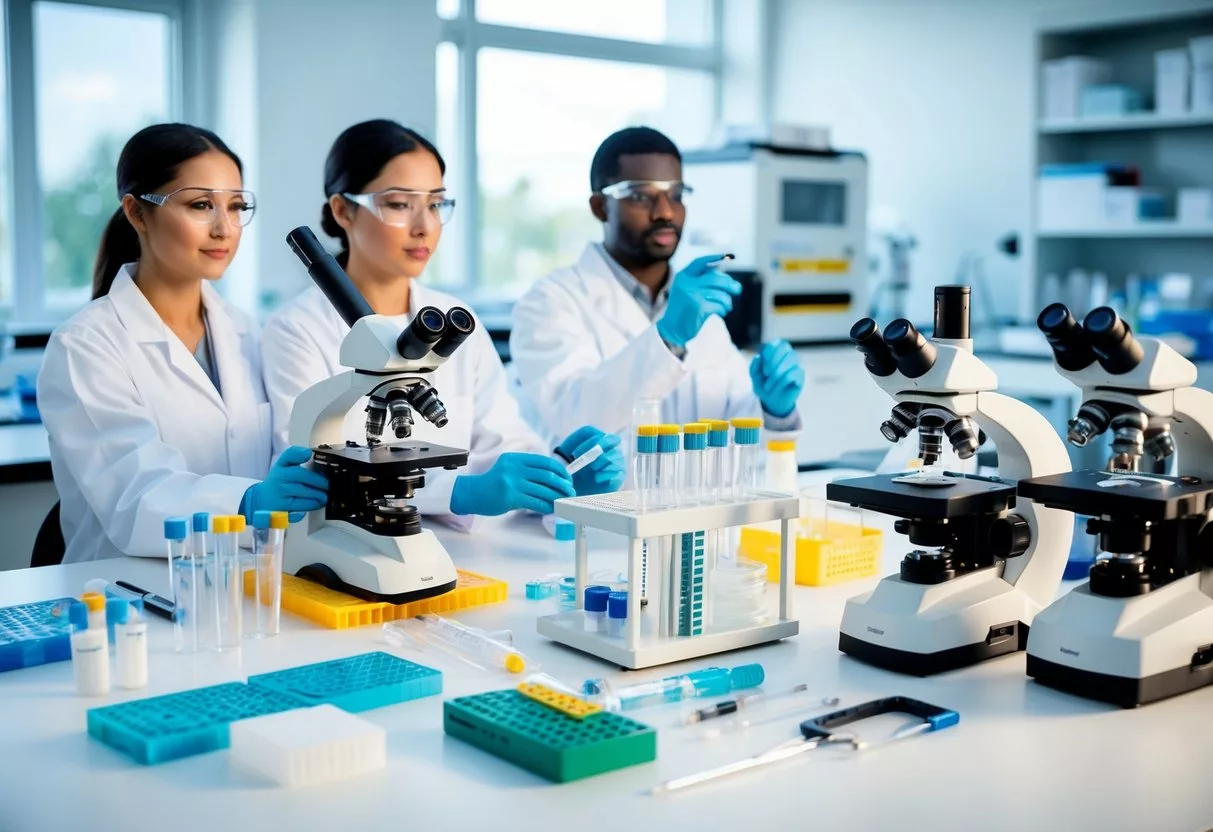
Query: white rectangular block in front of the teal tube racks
x: 309, y: 746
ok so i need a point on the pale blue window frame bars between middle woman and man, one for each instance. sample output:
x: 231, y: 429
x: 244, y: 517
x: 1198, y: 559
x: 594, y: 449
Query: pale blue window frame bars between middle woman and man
x: 470, y: 36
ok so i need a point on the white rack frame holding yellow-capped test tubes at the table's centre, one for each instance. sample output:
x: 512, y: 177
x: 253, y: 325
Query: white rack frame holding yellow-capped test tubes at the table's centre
x: 619, y: 514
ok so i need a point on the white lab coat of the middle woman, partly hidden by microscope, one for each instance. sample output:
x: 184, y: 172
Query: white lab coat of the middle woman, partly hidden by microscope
x: 301, y: 345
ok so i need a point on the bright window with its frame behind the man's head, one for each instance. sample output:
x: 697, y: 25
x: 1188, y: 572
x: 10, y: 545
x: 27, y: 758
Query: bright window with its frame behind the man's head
x: 527, y: 90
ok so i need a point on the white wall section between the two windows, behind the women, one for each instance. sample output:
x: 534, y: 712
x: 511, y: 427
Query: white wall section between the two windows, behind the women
x: 294, y: 75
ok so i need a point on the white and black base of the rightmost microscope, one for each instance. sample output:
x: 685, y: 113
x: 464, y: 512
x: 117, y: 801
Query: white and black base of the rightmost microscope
x: 1129, y: 652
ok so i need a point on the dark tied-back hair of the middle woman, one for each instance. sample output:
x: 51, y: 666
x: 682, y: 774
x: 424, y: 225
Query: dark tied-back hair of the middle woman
x: 357, y: 158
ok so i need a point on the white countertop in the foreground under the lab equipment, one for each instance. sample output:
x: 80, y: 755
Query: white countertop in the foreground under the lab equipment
x: 1023, y: 757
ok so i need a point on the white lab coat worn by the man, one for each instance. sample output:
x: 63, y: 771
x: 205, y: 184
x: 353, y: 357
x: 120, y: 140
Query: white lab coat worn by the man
x: 585, y: 352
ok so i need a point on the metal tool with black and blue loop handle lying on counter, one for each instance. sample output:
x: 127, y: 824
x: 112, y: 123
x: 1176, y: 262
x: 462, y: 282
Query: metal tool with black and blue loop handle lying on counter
x: 821, y: 732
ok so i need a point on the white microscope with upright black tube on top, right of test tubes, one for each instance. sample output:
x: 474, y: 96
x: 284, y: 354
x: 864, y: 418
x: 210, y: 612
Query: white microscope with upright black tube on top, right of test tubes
x: 986, y: 563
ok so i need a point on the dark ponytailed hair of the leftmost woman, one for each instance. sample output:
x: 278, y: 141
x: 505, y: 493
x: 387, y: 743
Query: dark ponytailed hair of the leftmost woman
x: 150, y: 159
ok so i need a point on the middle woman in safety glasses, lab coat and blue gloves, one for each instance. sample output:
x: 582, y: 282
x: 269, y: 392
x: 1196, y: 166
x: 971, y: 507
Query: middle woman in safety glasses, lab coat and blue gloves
x: 388, y: 206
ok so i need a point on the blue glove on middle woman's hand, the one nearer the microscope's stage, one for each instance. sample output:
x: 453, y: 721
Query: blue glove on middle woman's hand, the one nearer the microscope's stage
x: 516, y: 481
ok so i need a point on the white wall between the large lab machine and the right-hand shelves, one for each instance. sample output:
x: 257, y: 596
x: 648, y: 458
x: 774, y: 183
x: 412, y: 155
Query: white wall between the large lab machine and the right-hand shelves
x: 941, y: 96
